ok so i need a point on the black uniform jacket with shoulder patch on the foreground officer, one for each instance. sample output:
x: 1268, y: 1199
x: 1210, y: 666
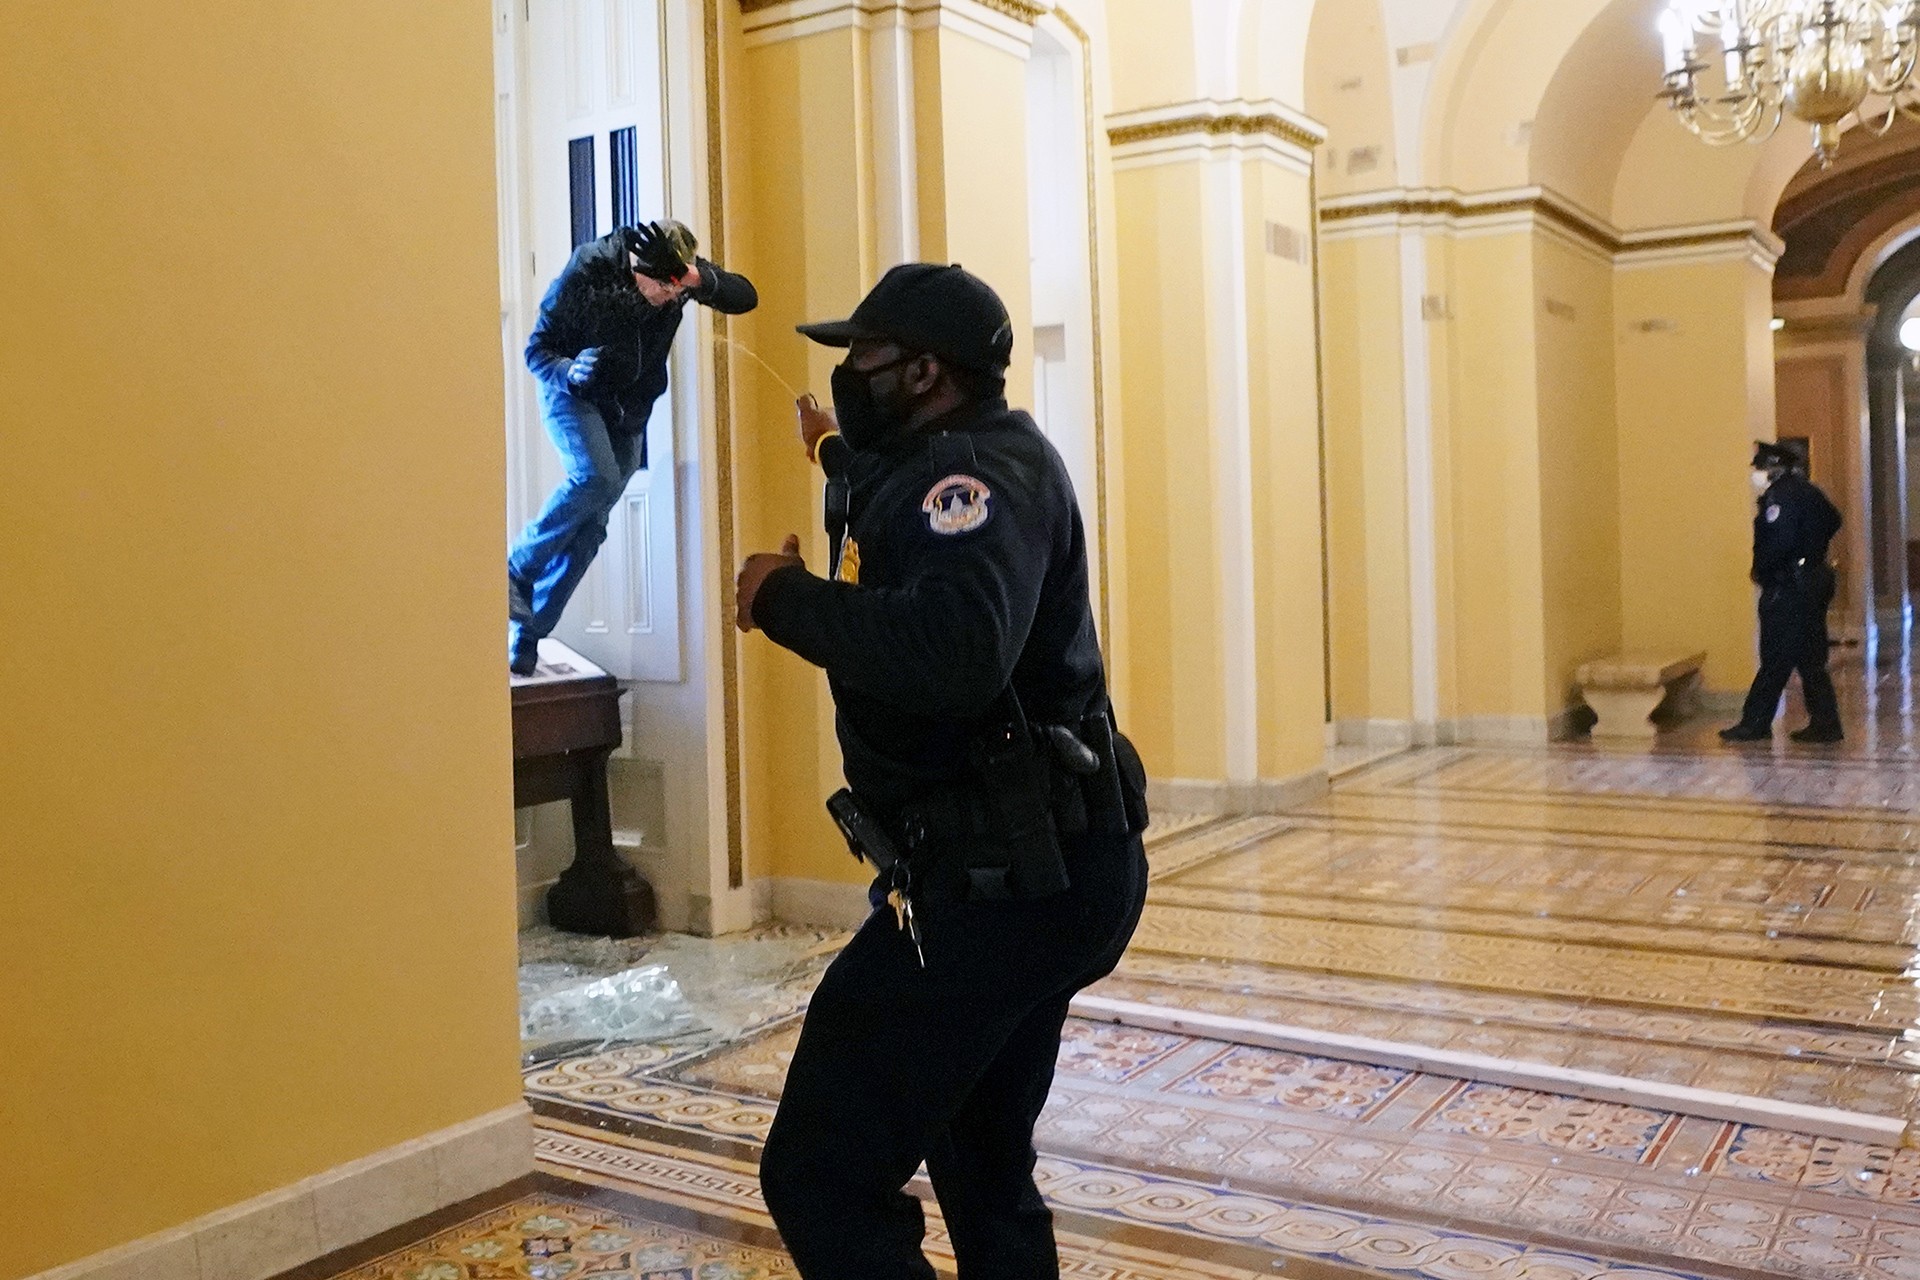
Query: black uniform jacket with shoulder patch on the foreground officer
x: 965, y: 569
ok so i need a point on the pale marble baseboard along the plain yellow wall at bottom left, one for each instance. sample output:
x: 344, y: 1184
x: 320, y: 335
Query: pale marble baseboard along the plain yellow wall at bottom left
x: 314, y: 1218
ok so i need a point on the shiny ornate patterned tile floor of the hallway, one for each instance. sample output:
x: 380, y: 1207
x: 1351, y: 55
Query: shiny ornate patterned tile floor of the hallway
x: 1677, y: 922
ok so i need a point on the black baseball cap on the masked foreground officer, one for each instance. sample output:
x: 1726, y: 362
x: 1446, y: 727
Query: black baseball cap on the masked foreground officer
x: 946, y: 312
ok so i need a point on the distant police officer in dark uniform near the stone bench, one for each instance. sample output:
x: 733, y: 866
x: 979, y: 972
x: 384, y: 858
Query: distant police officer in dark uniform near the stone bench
x: 1792, y: 531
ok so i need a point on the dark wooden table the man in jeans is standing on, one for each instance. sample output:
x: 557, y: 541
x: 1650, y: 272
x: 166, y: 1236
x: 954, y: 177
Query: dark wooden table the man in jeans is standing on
x: 565, y: 724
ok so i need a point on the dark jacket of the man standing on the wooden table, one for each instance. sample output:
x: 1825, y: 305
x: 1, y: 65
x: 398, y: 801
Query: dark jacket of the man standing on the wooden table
x: 596, y: 304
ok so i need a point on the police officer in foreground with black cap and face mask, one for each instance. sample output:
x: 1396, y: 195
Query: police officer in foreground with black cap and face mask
x: 959, y: 644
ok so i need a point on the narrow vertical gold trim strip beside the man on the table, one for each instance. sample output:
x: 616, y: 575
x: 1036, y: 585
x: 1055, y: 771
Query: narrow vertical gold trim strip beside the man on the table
x: 729, y: 534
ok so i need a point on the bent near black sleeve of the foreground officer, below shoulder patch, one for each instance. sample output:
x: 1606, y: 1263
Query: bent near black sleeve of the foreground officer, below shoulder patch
x: 944, y: 642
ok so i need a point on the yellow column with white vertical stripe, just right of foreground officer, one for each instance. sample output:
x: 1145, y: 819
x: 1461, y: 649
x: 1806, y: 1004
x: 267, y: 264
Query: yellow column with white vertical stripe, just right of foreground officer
x: 1222, y: 448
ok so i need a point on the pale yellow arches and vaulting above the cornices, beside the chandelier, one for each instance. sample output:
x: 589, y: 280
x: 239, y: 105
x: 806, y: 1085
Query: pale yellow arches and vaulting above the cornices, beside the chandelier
x: 1481, y: 95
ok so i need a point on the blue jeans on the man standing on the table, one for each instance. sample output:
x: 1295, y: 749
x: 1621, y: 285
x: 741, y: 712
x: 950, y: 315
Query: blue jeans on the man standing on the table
x: 560, y: 544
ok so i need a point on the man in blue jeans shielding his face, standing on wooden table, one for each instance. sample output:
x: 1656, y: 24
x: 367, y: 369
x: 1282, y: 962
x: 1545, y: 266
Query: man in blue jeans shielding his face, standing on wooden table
x: 600, y: 354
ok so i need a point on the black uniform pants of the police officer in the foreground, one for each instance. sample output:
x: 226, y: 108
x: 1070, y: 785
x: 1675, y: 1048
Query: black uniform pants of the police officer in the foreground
x: 949, y: 1066
